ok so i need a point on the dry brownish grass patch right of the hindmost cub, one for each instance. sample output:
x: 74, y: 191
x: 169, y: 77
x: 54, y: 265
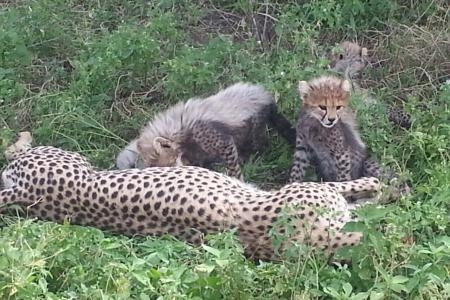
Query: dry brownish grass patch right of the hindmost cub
x: 416, y: 59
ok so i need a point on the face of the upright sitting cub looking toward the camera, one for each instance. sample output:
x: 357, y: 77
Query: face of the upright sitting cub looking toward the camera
x: 325, y: 98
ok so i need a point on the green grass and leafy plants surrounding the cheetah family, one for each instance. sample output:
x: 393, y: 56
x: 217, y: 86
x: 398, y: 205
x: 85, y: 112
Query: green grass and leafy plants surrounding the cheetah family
x: 86, y: 75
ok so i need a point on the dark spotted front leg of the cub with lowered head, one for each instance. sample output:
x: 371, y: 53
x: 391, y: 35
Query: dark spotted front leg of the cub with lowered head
x: 216, y: 138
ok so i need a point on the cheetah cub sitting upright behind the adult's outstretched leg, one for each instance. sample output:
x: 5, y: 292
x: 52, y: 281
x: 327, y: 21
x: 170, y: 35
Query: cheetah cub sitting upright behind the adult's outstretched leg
x: 327, y: 134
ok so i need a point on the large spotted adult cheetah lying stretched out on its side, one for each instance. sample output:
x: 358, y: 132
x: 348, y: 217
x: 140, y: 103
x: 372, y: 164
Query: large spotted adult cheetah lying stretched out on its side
x: 187, y: 202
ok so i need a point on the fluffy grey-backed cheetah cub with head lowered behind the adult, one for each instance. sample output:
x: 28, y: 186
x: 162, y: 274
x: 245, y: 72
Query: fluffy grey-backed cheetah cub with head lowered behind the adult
x: 224, y: 128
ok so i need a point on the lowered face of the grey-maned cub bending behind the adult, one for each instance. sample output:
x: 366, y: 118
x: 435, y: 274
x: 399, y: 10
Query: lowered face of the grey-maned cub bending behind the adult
x: 160, y: 152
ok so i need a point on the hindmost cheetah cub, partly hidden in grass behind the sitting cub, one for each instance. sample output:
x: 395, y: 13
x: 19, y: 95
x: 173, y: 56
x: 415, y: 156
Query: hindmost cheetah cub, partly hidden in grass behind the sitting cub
x: 350, y: 61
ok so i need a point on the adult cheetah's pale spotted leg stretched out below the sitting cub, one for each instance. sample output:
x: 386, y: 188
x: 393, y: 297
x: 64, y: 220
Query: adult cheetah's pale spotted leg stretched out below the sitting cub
x: 357, y: 186
